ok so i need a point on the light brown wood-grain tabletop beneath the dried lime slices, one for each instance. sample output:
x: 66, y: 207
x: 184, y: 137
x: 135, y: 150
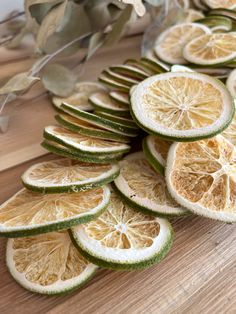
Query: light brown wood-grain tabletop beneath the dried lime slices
x: 198, y: 276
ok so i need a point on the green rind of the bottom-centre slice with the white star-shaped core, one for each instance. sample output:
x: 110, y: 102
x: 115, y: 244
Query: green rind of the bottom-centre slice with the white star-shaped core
x: 95, y: 259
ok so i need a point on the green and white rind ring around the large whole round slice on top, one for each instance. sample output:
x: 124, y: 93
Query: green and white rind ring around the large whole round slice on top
x: 188, y: 138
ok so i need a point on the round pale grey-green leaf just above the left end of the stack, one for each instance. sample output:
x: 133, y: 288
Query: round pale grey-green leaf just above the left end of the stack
x: 58, y: 79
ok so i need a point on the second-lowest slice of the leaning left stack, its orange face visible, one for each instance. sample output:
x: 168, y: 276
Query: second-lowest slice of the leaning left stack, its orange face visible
x: 83, y: 143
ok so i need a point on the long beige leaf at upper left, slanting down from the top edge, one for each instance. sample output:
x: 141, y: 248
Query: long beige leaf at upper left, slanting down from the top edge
x: 50, y: 24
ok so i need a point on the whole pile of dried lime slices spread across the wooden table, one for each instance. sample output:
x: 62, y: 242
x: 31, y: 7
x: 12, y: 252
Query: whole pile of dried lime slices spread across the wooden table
x: 87, y: 210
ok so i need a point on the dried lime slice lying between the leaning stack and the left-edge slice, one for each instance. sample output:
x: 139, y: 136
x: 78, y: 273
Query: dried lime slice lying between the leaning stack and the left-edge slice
x: 65, y: 175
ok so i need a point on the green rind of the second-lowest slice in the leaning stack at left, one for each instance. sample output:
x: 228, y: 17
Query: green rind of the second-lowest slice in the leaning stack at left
x: 51, y: 137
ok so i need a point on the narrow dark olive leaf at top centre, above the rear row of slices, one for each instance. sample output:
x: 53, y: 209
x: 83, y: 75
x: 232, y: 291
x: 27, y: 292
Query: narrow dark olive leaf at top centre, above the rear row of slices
x: 118, y: 27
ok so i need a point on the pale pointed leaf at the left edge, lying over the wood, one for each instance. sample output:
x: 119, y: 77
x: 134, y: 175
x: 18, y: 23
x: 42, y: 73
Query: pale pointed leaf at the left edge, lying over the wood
x: 17, y: 83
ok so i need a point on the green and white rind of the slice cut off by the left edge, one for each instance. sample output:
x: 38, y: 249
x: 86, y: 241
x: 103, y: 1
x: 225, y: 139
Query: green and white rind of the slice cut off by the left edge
x: 16, y: 232
